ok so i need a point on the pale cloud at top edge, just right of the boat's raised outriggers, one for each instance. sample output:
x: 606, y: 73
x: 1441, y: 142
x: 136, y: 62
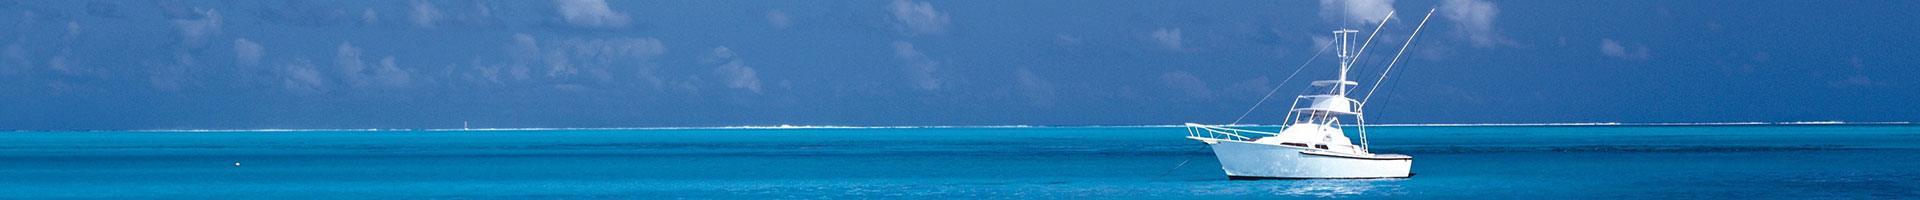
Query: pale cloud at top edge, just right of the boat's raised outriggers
x: 1476, y: 20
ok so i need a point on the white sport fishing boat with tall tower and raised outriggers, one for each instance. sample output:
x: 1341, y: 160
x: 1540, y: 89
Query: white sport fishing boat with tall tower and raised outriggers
x: 1312, y: 141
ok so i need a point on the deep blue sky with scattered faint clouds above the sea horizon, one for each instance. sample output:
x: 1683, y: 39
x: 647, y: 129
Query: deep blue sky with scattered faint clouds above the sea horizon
x: 437, y: 64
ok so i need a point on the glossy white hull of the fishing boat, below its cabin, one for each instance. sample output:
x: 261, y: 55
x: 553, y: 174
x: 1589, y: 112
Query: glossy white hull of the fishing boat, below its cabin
x: 1253, y: 161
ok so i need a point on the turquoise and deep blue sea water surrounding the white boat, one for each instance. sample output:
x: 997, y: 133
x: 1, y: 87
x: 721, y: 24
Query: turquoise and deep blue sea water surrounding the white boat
x: 1011, y: 162
